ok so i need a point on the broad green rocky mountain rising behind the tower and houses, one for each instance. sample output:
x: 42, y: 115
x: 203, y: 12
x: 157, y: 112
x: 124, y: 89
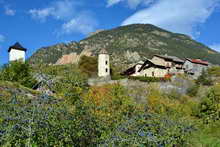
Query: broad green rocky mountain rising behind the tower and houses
x: 127, y: 45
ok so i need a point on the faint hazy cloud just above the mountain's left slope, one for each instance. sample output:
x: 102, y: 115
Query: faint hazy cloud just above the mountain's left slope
x: 83, y: 23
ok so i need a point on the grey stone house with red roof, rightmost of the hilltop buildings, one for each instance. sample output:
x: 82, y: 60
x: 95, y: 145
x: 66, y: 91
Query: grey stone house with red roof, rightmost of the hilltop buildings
x: 195, y: 67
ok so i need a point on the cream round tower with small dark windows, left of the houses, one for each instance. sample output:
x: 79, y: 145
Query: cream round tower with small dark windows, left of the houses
x: 103, y: 64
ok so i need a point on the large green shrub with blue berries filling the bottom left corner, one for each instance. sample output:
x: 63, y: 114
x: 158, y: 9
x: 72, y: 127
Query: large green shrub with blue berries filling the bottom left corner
x: 47, y: 122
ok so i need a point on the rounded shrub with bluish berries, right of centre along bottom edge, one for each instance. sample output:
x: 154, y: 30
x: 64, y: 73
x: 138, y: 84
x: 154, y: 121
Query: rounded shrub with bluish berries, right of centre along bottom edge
x: 150, y: 130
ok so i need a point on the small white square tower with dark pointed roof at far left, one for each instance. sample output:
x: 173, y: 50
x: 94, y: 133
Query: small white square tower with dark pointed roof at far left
x: 17, y: 52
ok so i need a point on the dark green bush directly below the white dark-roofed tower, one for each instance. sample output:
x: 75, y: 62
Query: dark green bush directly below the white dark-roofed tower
x: 19, y: 72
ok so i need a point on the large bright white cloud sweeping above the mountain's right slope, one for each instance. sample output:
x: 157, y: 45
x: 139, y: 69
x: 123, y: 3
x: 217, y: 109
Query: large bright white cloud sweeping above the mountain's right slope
x: 181, y: 16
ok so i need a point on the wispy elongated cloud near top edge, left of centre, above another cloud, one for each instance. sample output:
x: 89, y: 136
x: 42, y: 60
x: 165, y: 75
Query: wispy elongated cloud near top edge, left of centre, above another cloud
x: 60, y: 10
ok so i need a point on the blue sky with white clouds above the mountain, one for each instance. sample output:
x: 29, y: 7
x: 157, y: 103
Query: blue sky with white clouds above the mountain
x: 40, y: 23
